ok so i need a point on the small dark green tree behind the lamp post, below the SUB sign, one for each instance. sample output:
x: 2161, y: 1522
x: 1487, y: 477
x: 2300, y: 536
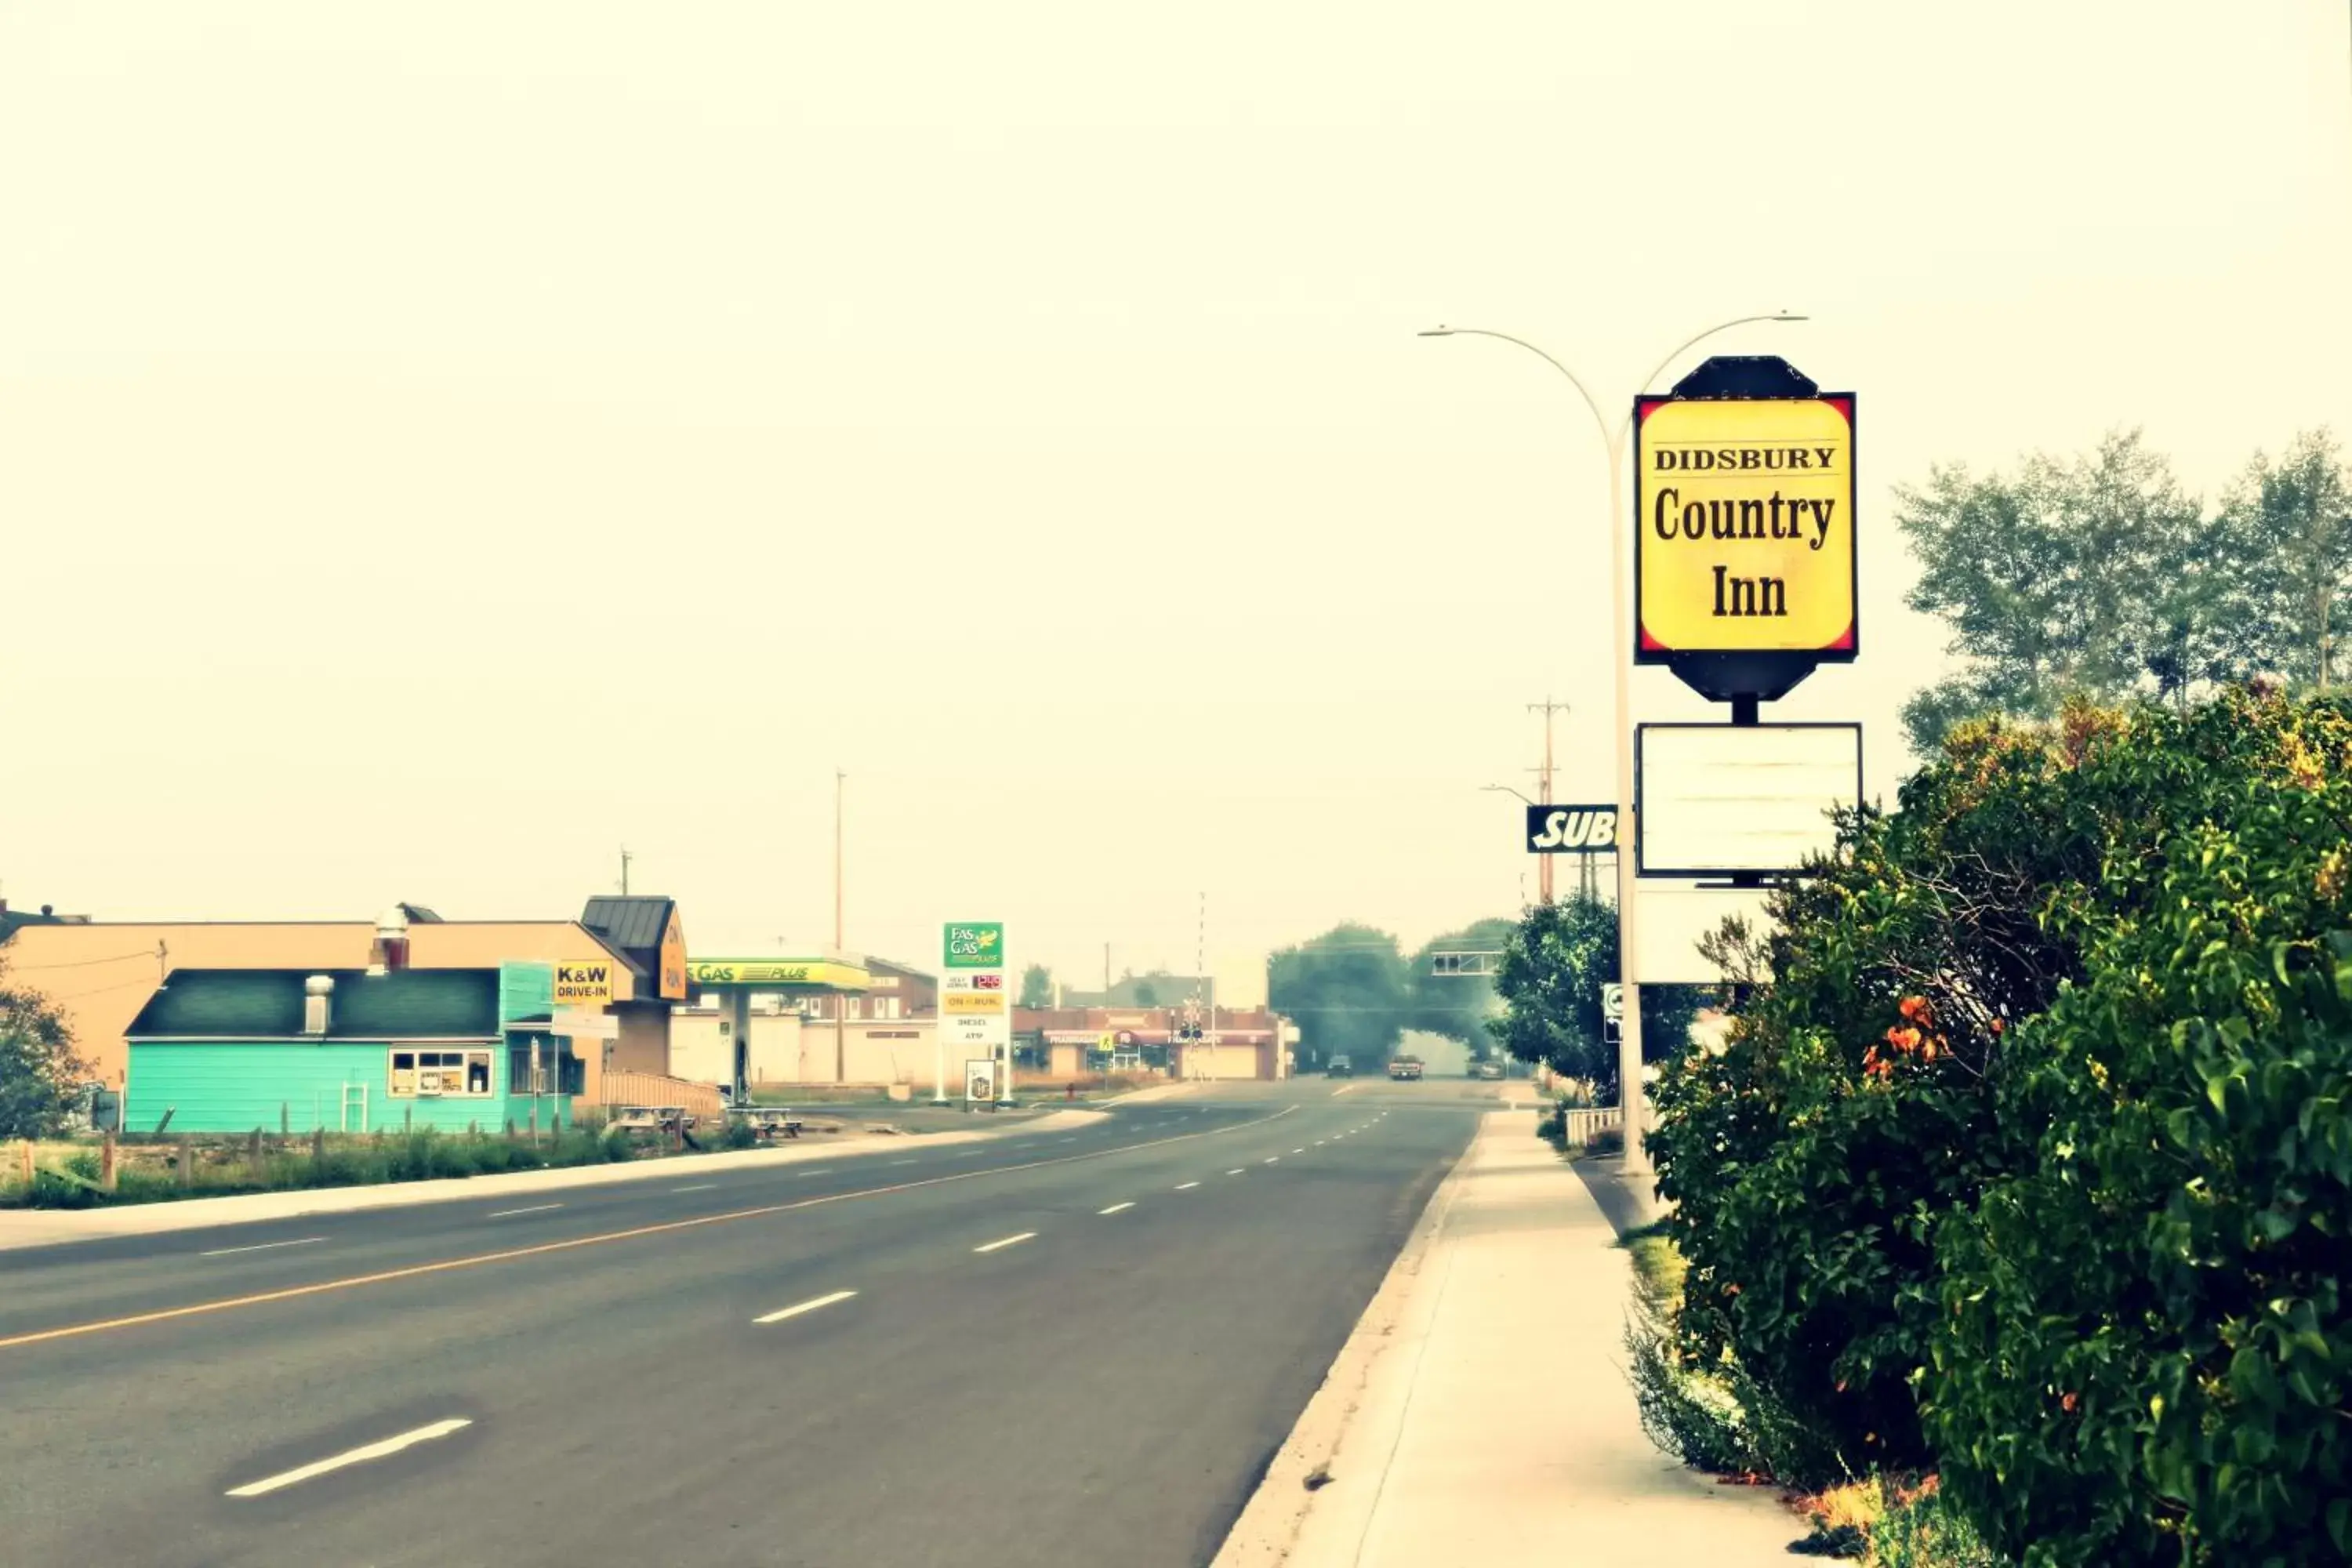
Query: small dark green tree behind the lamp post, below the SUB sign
x: 1553, y: 970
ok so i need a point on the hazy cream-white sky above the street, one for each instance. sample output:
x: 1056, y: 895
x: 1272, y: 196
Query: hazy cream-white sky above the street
x: 448, y: 441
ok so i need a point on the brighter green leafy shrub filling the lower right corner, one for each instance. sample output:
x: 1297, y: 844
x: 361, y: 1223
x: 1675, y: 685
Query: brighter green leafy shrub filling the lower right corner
x: 2149, y: 1343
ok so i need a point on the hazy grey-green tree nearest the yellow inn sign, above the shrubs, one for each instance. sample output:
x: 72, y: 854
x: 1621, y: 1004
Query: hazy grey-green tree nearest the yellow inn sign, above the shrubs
x: 2071, y: 577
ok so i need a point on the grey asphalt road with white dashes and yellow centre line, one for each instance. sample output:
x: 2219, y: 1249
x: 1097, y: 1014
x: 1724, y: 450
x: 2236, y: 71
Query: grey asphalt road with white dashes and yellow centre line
x: 1060, y: 1348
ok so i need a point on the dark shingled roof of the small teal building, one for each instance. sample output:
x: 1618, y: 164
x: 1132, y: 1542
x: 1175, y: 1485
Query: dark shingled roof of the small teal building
x: 267, y: 1005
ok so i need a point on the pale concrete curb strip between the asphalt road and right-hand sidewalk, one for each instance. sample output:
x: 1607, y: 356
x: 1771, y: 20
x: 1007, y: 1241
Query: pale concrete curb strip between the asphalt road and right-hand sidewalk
x: 1330, y: 1438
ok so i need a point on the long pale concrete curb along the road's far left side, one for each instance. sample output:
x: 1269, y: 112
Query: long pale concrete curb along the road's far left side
x: 55, y: 1226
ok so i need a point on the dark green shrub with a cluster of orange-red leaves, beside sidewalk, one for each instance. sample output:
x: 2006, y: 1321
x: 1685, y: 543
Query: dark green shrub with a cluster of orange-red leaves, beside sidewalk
x: 1805, y: 1184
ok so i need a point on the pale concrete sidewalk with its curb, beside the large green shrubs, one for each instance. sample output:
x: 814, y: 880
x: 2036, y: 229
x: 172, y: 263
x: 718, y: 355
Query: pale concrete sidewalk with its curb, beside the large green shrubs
x: 1481, y: 1412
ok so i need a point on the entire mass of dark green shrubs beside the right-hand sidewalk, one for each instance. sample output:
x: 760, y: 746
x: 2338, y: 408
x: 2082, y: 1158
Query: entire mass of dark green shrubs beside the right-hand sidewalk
x: 2040, y: 1134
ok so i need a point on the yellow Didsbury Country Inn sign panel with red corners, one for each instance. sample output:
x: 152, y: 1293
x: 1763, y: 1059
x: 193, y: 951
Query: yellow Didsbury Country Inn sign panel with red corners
x: 1744, y: 514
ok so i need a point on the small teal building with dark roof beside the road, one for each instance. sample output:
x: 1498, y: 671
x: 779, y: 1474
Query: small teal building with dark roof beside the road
x: 349, y: 1052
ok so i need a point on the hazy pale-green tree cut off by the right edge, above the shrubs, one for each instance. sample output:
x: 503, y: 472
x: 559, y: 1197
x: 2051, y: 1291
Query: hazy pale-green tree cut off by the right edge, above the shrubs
x: 2290, y: 530
